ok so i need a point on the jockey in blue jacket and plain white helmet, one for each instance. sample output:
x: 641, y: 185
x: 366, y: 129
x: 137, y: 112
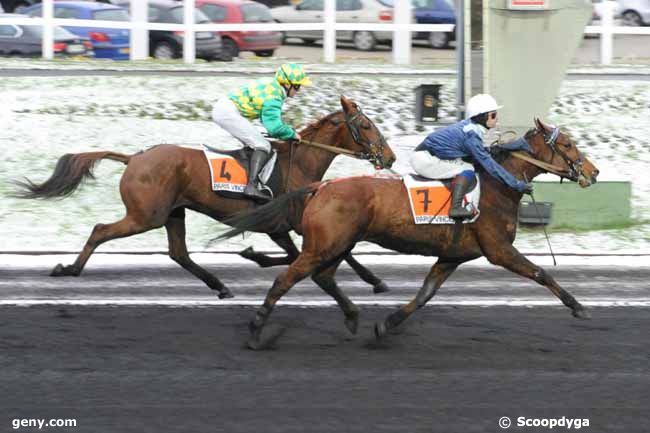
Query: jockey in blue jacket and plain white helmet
x: 441, y: 155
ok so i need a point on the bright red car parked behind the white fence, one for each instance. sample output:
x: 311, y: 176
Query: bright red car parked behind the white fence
x: 262, y: 44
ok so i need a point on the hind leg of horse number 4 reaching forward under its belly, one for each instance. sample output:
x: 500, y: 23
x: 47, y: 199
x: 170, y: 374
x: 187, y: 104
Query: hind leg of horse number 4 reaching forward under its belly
x: 175, y: 226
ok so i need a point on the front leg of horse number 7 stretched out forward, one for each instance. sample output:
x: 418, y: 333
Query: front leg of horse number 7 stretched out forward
x: 508, y: 257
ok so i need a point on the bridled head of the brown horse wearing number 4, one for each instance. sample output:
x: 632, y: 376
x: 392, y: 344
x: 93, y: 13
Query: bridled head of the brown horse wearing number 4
x: 364, y: 137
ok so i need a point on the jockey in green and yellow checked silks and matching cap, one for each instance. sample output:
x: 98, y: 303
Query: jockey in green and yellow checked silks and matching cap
x: 261, y: 99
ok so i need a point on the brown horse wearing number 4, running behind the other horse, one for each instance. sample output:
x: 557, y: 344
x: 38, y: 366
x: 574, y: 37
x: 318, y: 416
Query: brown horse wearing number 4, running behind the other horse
x: 161, y: 182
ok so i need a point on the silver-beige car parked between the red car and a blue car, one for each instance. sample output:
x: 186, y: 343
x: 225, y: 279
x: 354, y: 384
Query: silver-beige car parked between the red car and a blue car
x: 347, y: 11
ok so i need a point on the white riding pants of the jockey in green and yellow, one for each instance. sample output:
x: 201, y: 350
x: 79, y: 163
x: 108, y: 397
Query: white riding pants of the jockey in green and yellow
x: 227, y: 116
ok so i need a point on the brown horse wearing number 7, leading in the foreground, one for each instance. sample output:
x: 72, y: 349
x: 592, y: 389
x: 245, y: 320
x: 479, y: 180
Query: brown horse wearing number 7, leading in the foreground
x: 338, y: 214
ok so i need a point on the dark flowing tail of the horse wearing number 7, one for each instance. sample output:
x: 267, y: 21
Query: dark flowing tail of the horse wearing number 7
x: 278, y: 216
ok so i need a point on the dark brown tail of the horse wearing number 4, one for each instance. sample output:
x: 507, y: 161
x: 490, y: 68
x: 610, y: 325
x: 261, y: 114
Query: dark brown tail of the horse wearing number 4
x: 70, y: 171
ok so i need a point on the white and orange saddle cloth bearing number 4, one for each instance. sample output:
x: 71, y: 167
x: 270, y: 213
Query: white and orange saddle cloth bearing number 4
x: 229, y: 171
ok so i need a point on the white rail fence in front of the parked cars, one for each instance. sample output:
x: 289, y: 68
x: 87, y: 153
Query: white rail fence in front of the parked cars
x: 401, y: 28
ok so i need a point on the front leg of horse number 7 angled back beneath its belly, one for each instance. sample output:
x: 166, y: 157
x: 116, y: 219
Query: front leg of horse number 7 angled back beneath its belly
x: 437, y: 276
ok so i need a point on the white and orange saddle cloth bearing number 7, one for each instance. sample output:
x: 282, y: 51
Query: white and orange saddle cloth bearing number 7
x: 431, y: 200
